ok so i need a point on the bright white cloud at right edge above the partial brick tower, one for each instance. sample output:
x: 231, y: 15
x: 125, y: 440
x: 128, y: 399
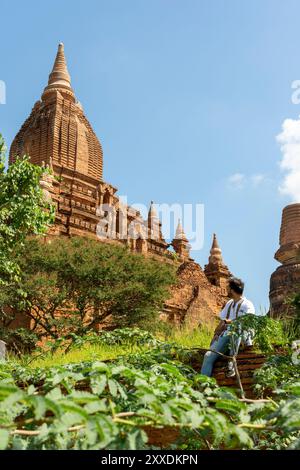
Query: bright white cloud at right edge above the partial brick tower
x: 289, y: 139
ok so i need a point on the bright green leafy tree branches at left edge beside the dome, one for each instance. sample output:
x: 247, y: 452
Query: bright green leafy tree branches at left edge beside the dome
x: 23, y: 210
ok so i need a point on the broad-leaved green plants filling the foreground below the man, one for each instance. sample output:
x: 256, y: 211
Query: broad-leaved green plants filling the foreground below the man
x: 115, y: 403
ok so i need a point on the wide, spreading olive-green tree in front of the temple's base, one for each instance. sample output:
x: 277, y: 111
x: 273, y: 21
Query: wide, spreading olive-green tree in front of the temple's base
x: 74, y: 284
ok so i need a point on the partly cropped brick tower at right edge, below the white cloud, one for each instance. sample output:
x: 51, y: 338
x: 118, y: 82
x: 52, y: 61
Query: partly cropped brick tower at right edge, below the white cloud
x: 285, y: 281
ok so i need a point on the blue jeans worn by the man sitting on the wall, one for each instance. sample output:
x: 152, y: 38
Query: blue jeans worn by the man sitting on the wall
x: 222, y: 344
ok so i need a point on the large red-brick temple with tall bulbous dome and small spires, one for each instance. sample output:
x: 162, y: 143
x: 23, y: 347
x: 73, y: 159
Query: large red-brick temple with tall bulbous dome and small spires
x: 58, y: 135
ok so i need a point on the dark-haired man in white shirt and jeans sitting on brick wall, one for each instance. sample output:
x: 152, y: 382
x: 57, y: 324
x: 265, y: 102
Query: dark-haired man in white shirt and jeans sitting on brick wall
x: 222, y: 341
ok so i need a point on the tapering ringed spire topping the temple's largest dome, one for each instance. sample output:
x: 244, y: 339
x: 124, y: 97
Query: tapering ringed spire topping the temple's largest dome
x: 60, y: 78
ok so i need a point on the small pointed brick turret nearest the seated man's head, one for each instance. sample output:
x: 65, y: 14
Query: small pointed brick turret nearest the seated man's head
x: 216, y: 271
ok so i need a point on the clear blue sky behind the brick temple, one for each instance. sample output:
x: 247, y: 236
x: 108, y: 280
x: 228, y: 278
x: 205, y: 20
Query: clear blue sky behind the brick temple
x: 187, y: 98
